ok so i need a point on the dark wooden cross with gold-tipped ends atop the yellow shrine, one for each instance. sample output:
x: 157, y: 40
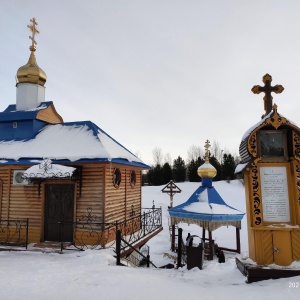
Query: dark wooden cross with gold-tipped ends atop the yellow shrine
x: 267, y: 89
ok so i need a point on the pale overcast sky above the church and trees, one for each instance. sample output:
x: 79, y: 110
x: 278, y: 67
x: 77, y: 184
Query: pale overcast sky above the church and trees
x: 167, y: 74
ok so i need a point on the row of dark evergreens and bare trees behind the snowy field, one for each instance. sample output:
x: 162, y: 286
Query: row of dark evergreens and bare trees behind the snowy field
x: 178, y: 170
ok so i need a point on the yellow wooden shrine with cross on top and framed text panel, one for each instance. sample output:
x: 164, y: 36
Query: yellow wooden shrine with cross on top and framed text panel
x: 270, y: 153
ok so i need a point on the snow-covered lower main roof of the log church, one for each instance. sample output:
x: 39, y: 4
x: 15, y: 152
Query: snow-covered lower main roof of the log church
x: 68, y: 141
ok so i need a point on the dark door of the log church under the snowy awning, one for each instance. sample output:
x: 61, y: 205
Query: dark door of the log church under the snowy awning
x: 59, y: 210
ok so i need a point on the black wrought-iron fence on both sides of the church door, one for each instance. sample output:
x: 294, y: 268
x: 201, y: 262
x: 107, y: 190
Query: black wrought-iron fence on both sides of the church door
x: 87, y: 232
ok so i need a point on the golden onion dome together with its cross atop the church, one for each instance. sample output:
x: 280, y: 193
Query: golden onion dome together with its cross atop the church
x: 31, y: 72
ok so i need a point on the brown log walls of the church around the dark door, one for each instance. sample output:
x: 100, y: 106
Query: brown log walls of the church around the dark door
x: 108, y: 203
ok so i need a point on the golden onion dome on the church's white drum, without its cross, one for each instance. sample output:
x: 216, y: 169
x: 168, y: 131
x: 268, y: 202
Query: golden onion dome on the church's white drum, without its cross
x: 31, y: 72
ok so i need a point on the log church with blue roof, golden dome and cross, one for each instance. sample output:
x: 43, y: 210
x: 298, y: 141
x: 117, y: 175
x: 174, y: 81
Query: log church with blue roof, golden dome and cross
x: 53, y: 171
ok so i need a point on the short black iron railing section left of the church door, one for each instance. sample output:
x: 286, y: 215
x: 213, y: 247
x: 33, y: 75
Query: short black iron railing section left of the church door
x: 14, y: 232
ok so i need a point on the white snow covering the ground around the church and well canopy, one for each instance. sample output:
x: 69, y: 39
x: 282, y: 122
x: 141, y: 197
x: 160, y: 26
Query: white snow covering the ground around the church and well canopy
x: 93, y: 274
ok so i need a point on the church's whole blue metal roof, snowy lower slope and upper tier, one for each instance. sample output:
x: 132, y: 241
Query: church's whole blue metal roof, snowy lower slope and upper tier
x: 32, y: 140
